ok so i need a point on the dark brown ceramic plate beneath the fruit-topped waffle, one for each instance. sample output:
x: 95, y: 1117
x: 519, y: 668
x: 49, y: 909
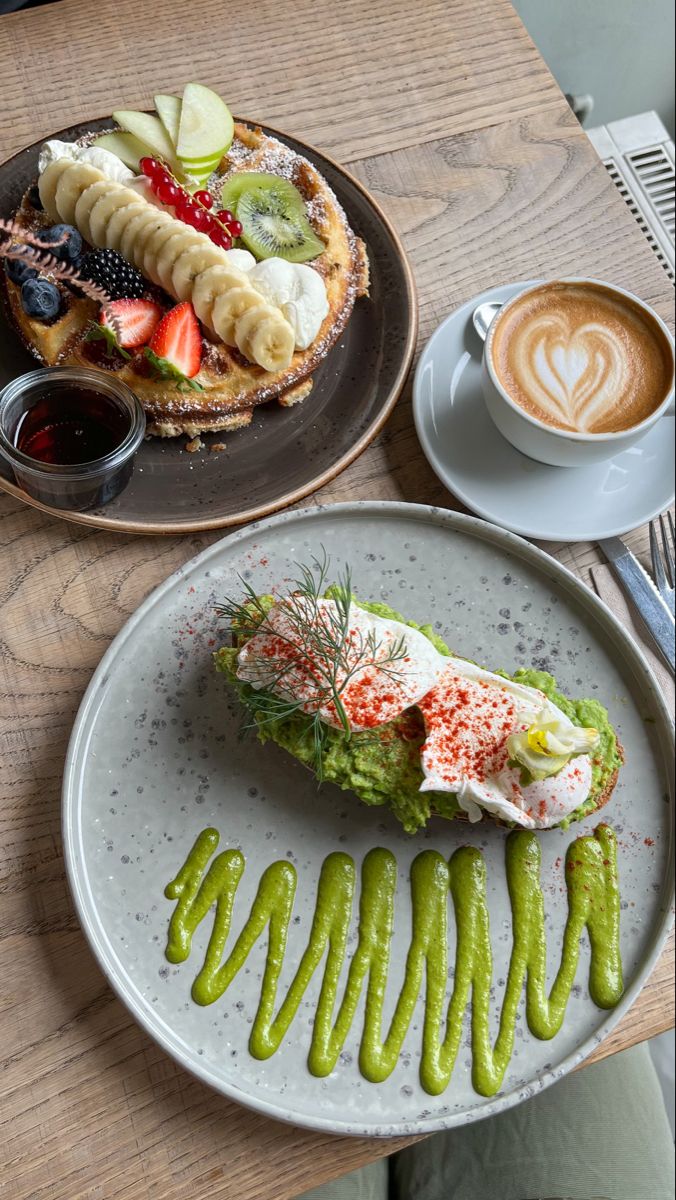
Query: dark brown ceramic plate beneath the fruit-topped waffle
x: 284, y: 454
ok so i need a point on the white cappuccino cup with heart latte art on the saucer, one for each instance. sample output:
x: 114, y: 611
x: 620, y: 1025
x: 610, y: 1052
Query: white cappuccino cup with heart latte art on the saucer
x: 576, y: 371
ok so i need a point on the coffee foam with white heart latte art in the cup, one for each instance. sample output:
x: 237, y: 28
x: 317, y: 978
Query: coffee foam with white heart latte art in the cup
x: 582, y: 358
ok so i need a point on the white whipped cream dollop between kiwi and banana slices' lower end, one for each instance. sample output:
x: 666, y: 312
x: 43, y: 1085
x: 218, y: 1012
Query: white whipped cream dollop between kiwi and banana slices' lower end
x: 298, y: 291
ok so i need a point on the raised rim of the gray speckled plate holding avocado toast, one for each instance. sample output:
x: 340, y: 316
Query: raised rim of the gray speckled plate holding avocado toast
x: 119, y: 981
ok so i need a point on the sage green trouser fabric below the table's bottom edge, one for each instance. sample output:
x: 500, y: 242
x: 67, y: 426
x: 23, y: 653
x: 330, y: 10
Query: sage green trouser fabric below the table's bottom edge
x: 600, y: 1135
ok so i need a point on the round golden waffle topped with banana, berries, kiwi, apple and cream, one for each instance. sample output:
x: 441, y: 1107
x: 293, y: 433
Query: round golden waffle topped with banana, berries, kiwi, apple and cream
x: 204, y: 261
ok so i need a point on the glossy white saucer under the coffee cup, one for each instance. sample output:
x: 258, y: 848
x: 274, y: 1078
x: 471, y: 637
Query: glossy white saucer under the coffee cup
x: 490, y: 477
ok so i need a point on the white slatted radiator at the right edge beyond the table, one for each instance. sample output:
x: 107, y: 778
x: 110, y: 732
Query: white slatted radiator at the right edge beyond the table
x: 638, y: 154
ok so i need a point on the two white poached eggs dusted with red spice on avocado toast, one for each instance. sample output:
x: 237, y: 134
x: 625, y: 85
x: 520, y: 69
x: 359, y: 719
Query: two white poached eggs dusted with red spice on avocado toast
x: 471, y: 716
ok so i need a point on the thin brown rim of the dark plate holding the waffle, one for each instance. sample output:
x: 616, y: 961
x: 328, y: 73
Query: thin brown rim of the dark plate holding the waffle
x: 319, y: 482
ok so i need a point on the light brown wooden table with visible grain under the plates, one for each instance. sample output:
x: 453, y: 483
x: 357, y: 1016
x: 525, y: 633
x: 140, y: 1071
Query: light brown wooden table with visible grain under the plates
x: 448, y: 115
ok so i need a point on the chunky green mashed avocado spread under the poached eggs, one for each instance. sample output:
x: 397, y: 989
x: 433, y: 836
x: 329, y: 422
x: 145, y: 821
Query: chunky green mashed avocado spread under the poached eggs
x: 382, y: 766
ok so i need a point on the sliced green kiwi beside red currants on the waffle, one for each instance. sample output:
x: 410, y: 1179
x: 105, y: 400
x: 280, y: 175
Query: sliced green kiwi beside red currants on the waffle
x: 273, y: 219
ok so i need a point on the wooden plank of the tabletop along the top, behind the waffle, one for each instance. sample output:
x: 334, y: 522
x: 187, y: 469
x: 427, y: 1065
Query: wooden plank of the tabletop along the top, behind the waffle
x: 356, y: 79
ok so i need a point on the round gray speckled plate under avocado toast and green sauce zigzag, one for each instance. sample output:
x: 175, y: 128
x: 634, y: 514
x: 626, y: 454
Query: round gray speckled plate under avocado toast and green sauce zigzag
x: 155, y: 758
